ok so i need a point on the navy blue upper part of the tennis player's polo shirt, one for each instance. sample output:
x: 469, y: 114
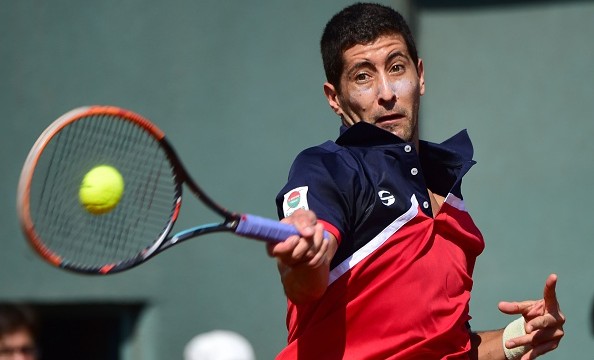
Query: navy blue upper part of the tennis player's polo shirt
x: 348, y: 179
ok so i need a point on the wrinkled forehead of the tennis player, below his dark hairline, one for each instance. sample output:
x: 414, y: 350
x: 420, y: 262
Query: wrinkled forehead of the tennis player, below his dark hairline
x: 378, y: 50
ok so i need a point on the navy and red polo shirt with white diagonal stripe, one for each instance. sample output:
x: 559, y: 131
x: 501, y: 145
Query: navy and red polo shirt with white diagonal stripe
x: 401, y: 279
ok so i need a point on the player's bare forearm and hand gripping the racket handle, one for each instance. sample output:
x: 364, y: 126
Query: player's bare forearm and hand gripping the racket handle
x: 304, y: 261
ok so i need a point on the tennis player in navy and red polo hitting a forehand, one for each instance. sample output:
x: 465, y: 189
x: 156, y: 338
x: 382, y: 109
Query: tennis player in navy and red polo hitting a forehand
x: 394, y: 278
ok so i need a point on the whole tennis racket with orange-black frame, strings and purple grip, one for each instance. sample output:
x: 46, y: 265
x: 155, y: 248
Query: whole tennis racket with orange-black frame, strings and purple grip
x: 68, y: 236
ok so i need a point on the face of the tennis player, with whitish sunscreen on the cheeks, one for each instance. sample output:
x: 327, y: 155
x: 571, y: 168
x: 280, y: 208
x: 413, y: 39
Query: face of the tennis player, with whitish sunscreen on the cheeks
x: 380, y: 85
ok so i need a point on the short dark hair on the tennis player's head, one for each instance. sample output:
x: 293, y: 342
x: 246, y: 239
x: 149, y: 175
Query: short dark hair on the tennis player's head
x: 360, y: 23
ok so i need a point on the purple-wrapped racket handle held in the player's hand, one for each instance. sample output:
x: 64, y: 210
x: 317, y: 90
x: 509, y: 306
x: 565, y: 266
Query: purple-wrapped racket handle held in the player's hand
x: 260, y: 228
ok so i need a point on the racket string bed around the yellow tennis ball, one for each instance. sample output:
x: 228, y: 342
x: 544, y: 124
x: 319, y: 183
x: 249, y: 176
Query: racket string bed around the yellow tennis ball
x: 140, y: 218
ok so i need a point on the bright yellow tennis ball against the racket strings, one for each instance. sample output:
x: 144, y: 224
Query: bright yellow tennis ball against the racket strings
x: 101, y: 189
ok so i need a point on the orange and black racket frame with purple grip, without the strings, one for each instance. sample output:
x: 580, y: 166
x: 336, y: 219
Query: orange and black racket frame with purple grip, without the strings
x: 246, y: 225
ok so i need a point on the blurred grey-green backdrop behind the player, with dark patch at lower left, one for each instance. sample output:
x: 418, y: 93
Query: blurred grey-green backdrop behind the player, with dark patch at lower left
x: 237, y: 87
